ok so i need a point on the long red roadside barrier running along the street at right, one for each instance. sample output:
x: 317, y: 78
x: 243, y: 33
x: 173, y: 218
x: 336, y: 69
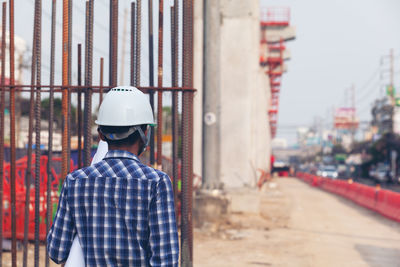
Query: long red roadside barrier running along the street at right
x: 384, y: 202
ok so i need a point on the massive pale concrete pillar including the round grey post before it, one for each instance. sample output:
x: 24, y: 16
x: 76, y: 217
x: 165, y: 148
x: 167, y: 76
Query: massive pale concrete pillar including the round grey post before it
x: 232, y: 127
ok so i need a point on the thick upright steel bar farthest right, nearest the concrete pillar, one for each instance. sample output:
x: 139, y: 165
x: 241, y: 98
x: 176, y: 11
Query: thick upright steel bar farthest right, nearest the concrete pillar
x: 187, y: 138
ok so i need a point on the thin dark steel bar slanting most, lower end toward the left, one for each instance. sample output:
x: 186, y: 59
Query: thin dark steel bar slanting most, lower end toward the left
x: 28, y: 176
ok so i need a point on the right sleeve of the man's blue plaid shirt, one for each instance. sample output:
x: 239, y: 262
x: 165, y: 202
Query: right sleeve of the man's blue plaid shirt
x: 164, y: 244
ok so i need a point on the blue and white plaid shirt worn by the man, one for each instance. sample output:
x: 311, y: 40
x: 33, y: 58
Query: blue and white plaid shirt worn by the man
x: 121, y: 210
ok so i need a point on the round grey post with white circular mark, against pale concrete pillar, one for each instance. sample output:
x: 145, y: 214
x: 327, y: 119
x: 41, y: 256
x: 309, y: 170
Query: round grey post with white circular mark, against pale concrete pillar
x: 211, y: 95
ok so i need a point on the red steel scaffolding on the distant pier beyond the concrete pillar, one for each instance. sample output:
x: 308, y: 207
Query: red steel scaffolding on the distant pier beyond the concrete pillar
x: 273, y: 60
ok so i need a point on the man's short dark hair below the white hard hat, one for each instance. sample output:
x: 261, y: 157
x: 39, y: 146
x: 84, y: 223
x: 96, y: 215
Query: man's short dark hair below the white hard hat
x: 130, y: 140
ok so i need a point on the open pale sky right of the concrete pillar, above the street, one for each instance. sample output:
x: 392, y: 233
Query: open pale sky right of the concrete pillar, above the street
x: 338, y: 44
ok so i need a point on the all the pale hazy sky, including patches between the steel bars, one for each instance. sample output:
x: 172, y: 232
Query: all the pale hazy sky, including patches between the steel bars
x: 338, y: 44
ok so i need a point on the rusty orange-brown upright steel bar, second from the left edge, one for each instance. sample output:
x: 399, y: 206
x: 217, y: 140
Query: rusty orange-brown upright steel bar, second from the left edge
x: 12, y: 139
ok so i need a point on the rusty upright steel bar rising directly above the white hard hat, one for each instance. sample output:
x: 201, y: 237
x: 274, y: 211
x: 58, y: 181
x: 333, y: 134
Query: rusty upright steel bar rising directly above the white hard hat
x: 113, y: 42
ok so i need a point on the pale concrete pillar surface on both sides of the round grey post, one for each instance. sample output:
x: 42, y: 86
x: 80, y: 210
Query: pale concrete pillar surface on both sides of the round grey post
x: 245, y: 134
